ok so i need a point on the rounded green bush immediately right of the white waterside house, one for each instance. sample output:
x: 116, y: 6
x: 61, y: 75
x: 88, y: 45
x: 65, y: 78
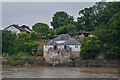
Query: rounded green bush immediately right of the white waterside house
x: 90, y: 48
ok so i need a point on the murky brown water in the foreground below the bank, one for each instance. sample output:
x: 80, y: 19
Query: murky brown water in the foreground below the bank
x: 58, y: 72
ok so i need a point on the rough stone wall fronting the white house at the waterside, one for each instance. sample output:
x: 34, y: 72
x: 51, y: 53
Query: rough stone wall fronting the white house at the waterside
x: 59, y: 55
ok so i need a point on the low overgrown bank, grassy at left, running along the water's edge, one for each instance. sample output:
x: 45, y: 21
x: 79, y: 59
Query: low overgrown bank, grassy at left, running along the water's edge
x: 76, y: 63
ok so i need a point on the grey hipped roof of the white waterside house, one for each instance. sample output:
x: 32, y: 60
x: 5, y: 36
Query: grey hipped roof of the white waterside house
x: 66, y: 37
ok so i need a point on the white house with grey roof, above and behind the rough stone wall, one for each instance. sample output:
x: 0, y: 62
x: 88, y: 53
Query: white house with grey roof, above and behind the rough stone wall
x: 63, y: 41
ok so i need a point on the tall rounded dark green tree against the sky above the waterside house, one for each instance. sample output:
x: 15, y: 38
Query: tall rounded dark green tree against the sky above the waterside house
x: 60, y: 19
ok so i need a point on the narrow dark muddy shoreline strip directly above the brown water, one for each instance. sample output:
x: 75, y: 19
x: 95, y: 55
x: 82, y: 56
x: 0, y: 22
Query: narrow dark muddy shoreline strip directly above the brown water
x: 67, y: 64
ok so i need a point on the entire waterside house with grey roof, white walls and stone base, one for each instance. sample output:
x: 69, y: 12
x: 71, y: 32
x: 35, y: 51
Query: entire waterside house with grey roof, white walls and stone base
x: 62, y: 46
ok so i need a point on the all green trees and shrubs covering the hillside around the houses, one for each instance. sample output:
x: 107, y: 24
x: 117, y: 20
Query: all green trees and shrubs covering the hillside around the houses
x: 102, y: 19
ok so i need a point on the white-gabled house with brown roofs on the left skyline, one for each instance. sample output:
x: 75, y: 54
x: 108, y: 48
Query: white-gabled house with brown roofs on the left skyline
x: 17, y: 29
